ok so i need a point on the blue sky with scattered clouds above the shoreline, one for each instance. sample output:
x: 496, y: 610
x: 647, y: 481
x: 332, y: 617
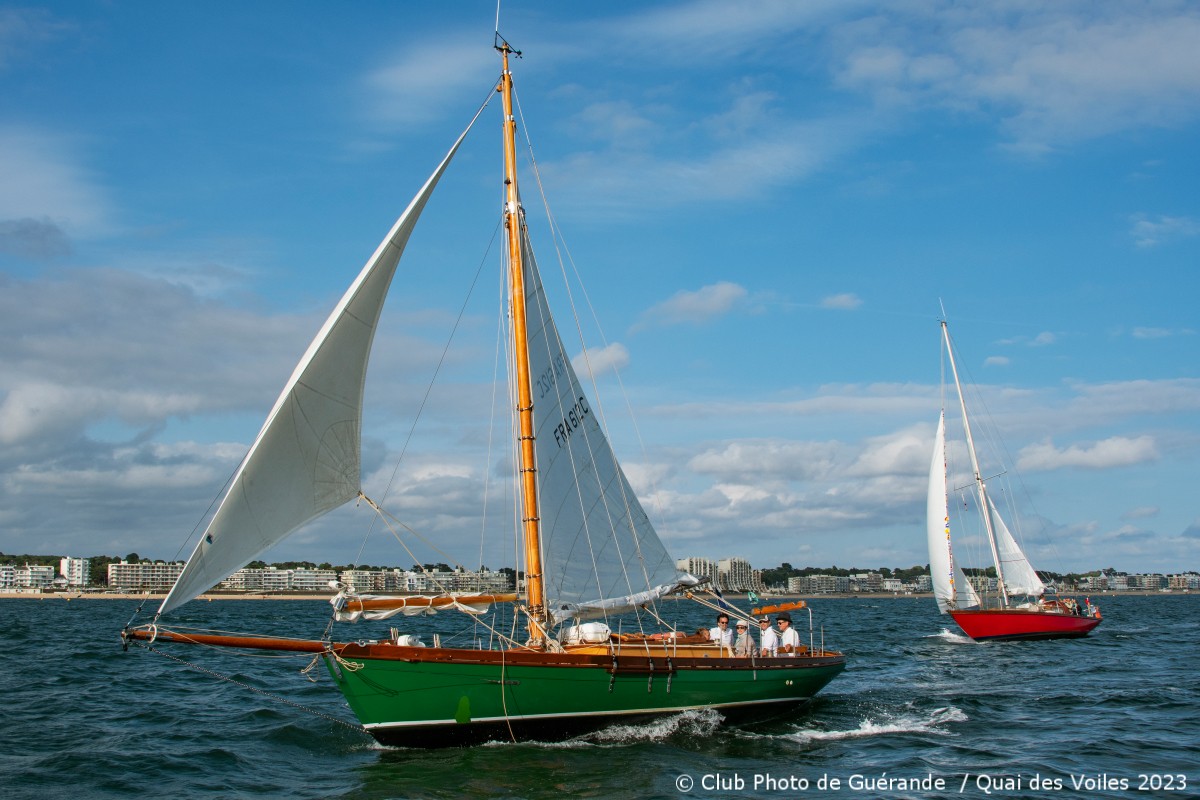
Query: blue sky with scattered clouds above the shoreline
x: 769, y: 204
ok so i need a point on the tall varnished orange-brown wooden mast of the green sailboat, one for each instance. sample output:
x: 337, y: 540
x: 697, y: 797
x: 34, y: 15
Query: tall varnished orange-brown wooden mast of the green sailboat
x: 514, y: 221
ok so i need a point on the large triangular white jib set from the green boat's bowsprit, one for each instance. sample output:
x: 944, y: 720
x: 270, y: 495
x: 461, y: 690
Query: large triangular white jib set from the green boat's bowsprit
x: 307, y: 460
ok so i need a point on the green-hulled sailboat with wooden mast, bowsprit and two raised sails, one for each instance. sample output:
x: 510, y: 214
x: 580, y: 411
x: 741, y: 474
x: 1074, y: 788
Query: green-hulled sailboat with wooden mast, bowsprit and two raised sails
x: 590, y: 552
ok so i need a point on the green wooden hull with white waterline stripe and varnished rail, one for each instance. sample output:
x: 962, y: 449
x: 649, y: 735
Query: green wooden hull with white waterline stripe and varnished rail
x: 427, y: 697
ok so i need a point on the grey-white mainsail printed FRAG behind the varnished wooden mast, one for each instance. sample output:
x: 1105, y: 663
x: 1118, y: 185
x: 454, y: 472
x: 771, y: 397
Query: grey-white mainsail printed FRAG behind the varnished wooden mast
x: 601, y: 554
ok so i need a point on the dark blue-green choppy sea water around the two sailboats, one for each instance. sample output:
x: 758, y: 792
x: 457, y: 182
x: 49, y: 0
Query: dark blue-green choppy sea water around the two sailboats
x: 921, y: 712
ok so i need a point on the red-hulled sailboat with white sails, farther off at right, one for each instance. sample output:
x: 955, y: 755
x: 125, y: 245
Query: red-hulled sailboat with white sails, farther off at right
x: 1019, y: 609
